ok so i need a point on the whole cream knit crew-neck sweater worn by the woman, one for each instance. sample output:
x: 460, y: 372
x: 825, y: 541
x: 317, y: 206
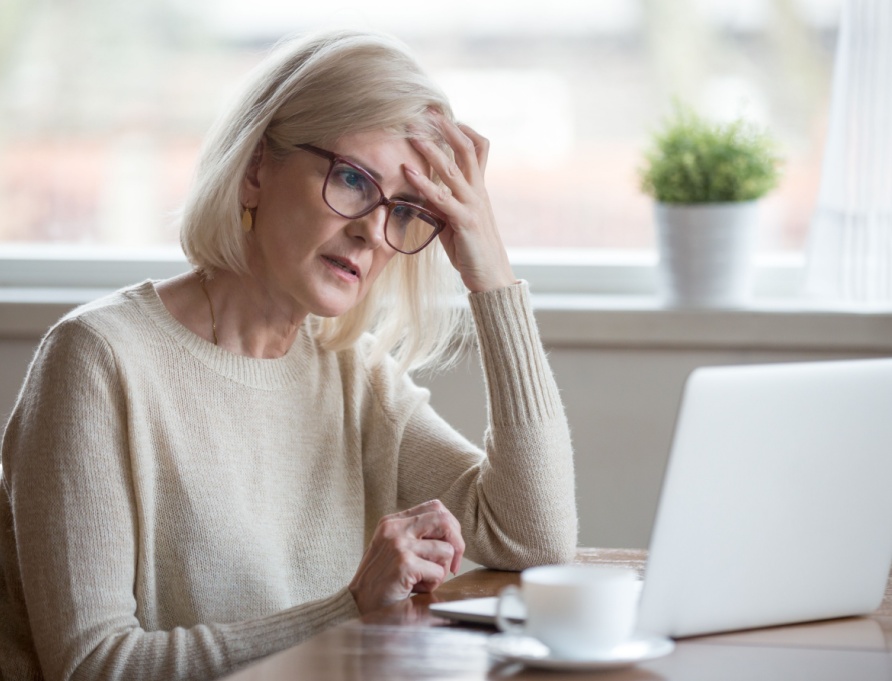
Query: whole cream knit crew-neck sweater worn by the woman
x: 170, y: 510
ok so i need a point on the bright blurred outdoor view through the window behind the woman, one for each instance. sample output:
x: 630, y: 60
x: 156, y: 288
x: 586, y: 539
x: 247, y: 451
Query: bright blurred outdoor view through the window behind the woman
x: 103, y: 103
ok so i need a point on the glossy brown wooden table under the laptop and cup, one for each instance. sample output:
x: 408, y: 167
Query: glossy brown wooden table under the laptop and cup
x: 406, y: 642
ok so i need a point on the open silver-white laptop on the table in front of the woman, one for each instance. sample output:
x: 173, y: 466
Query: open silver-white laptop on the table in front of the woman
x: 776, y: 504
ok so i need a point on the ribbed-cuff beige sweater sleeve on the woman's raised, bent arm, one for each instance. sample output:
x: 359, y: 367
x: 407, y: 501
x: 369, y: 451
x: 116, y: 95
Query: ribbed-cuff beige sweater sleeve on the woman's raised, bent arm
x: 517, y: 503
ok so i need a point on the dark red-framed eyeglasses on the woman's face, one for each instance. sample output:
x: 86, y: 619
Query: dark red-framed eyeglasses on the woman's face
x: 351, y: 192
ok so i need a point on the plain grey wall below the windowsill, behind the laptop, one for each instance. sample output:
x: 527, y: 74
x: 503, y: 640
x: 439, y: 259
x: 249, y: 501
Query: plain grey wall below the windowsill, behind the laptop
x: 621, y: 404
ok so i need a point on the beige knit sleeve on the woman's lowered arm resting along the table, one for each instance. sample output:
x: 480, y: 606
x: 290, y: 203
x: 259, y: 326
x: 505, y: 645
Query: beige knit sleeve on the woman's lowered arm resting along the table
x: 68, y: 491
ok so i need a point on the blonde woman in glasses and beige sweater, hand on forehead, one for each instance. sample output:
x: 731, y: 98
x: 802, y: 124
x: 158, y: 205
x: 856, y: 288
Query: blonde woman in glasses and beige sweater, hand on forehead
x: 202, y: 471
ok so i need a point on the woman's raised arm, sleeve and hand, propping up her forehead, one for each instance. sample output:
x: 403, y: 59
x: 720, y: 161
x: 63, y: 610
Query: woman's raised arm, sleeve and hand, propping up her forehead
x: 517, y: 506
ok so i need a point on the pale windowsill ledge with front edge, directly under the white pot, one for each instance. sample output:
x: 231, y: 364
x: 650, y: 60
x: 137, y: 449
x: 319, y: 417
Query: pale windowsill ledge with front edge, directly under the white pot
x: 593, y: 320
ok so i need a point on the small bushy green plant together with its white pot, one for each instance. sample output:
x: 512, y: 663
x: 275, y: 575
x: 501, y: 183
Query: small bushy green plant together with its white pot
x: 707, y: 179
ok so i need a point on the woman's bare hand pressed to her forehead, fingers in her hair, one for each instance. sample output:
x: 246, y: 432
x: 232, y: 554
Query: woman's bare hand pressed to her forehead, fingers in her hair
x: 471, y: 238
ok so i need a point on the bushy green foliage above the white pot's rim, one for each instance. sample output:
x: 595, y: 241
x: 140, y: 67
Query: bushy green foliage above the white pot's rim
x: 694, y: 160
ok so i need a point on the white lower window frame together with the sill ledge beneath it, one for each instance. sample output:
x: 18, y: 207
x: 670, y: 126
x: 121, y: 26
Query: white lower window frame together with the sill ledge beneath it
x: 585, y: 299
